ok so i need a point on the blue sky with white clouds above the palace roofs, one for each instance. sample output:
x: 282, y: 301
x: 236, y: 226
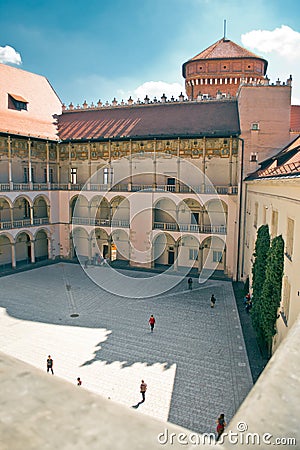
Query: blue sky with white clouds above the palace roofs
x: 114, y: 48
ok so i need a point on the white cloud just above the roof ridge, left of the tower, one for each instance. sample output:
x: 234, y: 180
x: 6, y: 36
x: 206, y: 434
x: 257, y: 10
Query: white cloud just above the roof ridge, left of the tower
x: 157, y: 89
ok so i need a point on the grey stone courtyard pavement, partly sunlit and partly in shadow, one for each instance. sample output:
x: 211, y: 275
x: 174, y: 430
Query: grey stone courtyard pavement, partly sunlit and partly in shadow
x: 194, y: 363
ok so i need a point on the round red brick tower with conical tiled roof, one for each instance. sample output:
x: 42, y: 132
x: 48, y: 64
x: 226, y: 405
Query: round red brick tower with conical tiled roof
x: 220, y: 69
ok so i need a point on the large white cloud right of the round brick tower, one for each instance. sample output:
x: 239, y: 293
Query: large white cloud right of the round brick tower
x: 284, y: 41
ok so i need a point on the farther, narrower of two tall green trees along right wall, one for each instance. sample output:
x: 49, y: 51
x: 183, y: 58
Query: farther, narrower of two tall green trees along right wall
x: 262, y: 246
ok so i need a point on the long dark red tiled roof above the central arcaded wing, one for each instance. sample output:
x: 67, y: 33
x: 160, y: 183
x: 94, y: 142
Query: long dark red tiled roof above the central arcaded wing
x: 155, y: 120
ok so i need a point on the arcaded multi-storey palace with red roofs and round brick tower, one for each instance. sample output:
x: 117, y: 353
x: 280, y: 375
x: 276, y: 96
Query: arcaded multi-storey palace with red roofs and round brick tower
x: 152, y: 183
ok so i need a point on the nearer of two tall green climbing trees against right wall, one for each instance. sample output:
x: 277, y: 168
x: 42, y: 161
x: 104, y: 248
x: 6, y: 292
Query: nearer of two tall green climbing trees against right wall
x: 271, y: 292
